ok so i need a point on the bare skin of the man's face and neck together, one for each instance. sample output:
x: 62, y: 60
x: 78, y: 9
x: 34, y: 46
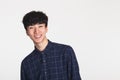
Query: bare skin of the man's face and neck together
x: 37, y: 33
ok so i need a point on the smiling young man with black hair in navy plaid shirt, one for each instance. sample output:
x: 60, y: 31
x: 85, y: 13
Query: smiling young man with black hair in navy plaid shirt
x: 49, y: 60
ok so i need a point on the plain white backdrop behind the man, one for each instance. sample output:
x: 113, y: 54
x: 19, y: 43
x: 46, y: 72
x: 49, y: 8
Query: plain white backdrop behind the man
x: 91, y: 27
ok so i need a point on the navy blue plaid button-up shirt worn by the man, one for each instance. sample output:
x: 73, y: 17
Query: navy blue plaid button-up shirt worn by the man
x: 56, y: 62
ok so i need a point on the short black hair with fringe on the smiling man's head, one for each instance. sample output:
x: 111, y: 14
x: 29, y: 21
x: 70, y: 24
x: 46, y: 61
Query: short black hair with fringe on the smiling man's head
x: 34, y: 17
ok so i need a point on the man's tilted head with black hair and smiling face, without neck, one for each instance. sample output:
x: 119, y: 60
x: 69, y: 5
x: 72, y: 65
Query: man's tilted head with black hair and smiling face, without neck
x: 35, y: 23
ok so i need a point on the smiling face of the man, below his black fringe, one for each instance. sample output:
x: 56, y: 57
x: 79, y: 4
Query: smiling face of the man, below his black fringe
x: 37, y: 32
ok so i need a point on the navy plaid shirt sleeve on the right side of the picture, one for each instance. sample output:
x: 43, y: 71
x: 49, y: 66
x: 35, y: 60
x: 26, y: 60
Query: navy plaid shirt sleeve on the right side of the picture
x: 73, y: 67
